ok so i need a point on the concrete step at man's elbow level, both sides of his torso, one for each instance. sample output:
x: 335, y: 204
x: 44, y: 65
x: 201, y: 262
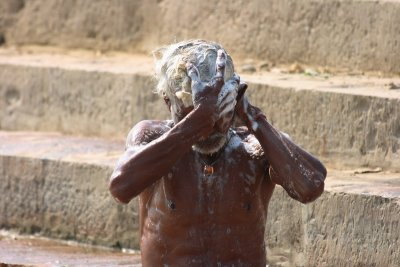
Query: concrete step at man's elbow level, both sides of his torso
x: 57, y: 186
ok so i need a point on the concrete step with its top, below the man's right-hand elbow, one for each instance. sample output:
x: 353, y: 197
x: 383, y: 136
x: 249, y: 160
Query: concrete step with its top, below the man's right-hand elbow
x: 349, y: 225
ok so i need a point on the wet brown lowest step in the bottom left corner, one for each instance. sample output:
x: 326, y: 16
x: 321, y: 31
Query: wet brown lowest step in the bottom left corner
x: 36, y: 251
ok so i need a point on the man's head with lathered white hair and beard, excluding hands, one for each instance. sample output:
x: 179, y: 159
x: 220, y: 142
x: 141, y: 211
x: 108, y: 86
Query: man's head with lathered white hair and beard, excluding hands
x: 174, y: 84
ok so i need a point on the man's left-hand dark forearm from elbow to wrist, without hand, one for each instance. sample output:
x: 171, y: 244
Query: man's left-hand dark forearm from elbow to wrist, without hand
x: 141, y: 168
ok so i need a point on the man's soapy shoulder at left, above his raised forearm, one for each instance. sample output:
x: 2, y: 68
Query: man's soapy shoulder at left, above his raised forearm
x: 146, y: 131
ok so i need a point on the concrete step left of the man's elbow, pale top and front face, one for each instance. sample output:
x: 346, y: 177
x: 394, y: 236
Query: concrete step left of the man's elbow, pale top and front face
x: 60, y: 188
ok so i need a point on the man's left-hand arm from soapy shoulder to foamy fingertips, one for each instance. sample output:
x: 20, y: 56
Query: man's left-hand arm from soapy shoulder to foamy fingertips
x: 148, y: 157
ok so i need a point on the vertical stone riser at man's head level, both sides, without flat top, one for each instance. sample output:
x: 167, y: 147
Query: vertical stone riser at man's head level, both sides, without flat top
x: 343, y: 129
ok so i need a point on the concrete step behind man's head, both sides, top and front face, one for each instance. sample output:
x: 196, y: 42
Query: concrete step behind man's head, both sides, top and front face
x: 345, y: 120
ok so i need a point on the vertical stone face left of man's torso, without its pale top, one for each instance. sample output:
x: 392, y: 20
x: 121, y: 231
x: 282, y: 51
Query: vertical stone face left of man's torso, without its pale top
x: 65, y: 200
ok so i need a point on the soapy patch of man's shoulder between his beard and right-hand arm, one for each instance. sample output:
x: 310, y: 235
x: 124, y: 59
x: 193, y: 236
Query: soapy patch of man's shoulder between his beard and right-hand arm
x: 245, y: 141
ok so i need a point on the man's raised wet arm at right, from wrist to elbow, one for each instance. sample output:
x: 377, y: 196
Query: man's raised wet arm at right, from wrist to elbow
x: 297, y: 171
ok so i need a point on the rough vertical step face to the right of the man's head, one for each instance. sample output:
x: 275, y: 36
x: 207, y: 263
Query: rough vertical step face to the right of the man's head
x: 343, y: 129
